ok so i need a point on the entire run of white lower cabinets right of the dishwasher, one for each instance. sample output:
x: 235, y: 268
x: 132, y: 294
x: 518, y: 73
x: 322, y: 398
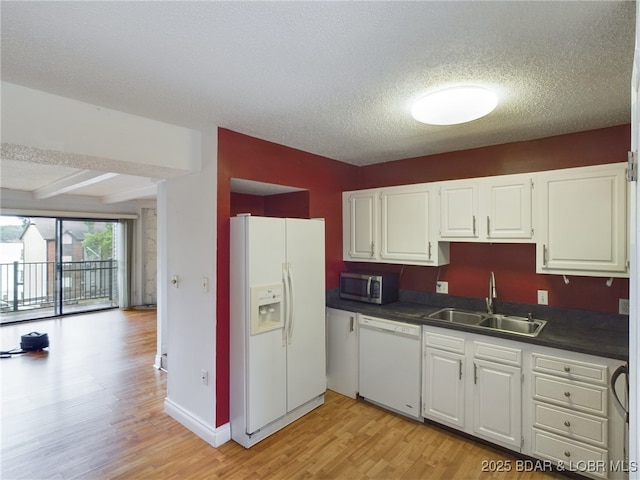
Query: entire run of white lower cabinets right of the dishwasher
x: 554, y: 405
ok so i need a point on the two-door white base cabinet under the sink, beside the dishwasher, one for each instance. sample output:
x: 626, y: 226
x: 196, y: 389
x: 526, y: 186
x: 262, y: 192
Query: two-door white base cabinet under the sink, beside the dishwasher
x: 473, y: 386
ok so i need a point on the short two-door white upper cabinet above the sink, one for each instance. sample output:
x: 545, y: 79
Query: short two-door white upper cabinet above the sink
x: 490, y: 209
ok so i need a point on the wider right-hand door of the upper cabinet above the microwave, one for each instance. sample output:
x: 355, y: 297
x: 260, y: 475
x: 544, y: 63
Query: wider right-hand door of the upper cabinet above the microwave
x: 405, y: 224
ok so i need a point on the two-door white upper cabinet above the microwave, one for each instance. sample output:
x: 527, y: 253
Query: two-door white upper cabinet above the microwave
x: 393, y: 225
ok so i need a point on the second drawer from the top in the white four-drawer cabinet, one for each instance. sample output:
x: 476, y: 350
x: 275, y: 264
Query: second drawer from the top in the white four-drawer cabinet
x: 581, y: 396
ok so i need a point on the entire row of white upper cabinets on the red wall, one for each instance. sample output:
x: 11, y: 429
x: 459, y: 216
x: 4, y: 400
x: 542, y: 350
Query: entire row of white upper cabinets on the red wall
x: 577, y: 217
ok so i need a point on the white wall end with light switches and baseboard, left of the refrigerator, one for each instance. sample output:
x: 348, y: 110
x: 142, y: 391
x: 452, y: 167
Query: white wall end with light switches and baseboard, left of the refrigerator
x: 190, y: 209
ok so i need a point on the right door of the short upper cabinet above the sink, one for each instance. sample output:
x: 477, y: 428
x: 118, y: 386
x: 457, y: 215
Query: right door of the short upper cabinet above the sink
x: 508, y: 201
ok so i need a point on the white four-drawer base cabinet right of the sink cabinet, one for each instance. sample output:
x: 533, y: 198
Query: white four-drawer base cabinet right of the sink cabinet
x: 575, y: 421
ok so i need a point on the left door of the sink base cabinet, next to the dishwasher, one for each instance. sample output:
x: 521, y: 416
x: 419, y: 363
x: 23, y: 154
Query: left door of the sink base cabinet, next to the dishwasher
x: 443, y: 387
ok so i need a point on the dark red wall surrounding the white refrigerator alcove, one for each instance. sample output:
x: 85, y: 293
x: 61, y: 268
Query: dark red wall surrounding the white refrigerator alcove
x: 241, y: 156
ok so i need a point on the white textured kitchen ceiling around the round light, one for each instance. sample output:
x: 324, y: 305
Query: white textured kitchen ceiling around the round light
x: 332, y: 78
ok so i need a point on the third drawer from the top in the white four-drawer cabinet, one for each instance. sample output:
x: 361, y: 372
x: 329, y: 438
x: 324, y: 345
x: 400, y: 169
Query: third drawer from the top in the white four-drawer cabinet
x: 575, y: 425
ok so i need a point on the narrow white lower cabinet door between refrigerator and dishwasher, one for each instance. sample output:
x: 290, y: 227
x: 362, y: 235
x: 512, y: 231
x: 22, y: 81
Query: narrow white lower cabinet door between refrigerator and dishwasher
x: 342, y: 352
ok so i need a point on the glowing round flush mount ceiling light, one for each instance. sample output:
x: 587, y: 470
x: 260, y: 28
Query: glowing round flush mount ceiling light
x: 454, y: 105
